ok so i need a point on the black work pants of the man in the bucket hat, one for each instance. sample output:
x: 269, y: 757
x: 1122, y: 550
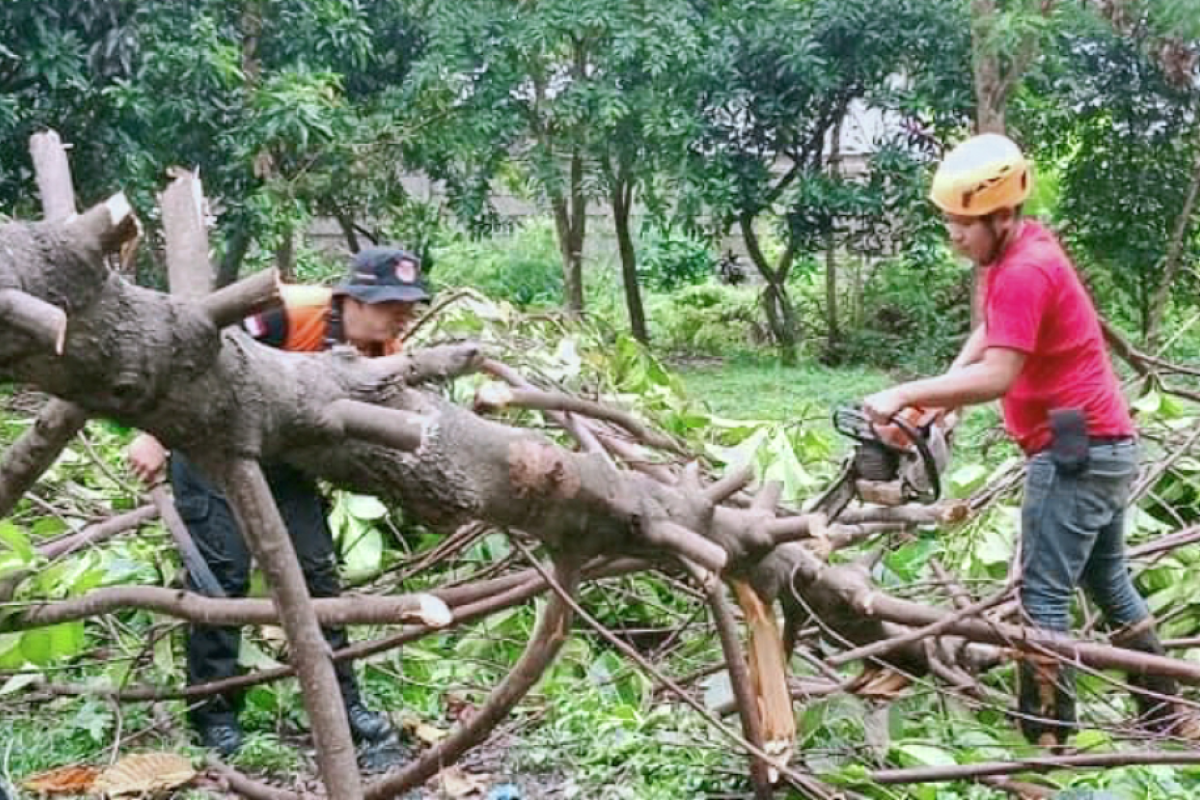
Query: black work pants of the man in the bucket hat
x: 213, y: 651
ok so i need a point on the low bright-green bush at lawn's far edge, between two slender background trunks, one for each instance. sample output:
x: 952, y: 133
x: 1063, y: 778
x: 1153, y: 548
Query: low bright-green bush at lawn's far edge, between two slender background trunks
x: 707, y: 320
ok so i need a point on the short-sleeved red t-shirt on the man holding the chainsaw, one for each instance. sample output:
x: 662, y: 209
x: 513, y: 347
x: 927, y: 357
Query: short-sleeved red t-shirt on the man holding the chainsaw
x: 1037, y: 305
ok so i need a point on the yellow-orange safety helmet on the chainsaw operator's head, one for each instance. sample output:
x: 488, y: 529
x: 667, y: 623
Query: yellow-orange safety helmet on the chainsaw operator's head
x: 983, y: 175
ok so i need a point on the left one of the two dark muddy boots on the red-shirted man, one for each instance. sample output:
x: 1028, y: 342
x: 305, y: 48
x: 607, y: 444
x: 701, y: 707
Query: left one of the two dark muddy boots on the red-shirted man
x: 1046, y: 701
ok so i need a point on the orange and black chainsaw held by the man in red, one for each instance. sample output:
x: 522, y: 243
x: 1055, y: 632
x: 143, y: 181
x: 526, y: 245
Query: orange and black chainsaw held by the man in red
x: 891, y: 465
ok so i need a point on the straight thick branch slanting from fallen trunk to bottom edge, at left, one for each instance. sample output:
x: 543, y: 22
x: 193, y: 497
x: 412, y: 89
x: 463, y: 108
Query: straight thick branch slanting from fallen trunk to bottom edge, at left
x: 267, y: 537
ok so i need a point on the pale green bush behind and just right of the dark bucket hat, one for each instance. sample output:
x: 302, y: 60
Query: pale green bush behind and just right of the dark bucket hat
x: 523, y: 267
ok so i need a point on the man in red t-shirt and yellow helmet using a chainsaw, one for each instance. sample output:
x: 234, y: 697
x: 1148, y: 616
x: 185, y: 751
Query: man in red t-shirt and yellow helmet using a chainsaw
x: 1041, y: 350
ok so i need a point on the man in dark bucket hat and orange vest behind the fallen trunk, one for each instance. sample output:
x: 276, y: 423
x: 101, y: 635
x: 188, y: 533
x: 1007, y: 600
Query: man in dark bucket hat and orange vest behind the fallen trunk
x: 367, y: 311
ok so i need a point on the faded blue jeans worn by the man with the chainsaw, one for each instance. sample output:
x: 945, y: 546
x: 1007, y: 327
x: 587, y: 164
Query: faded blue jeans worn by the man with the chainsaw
x: 1073, y: 533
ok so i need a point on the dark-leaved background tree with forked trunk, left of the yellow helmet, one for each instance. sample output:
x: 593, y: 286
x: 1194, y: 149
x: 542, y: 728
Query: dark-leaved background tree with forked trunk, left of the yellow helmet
x: 777, y: 81
